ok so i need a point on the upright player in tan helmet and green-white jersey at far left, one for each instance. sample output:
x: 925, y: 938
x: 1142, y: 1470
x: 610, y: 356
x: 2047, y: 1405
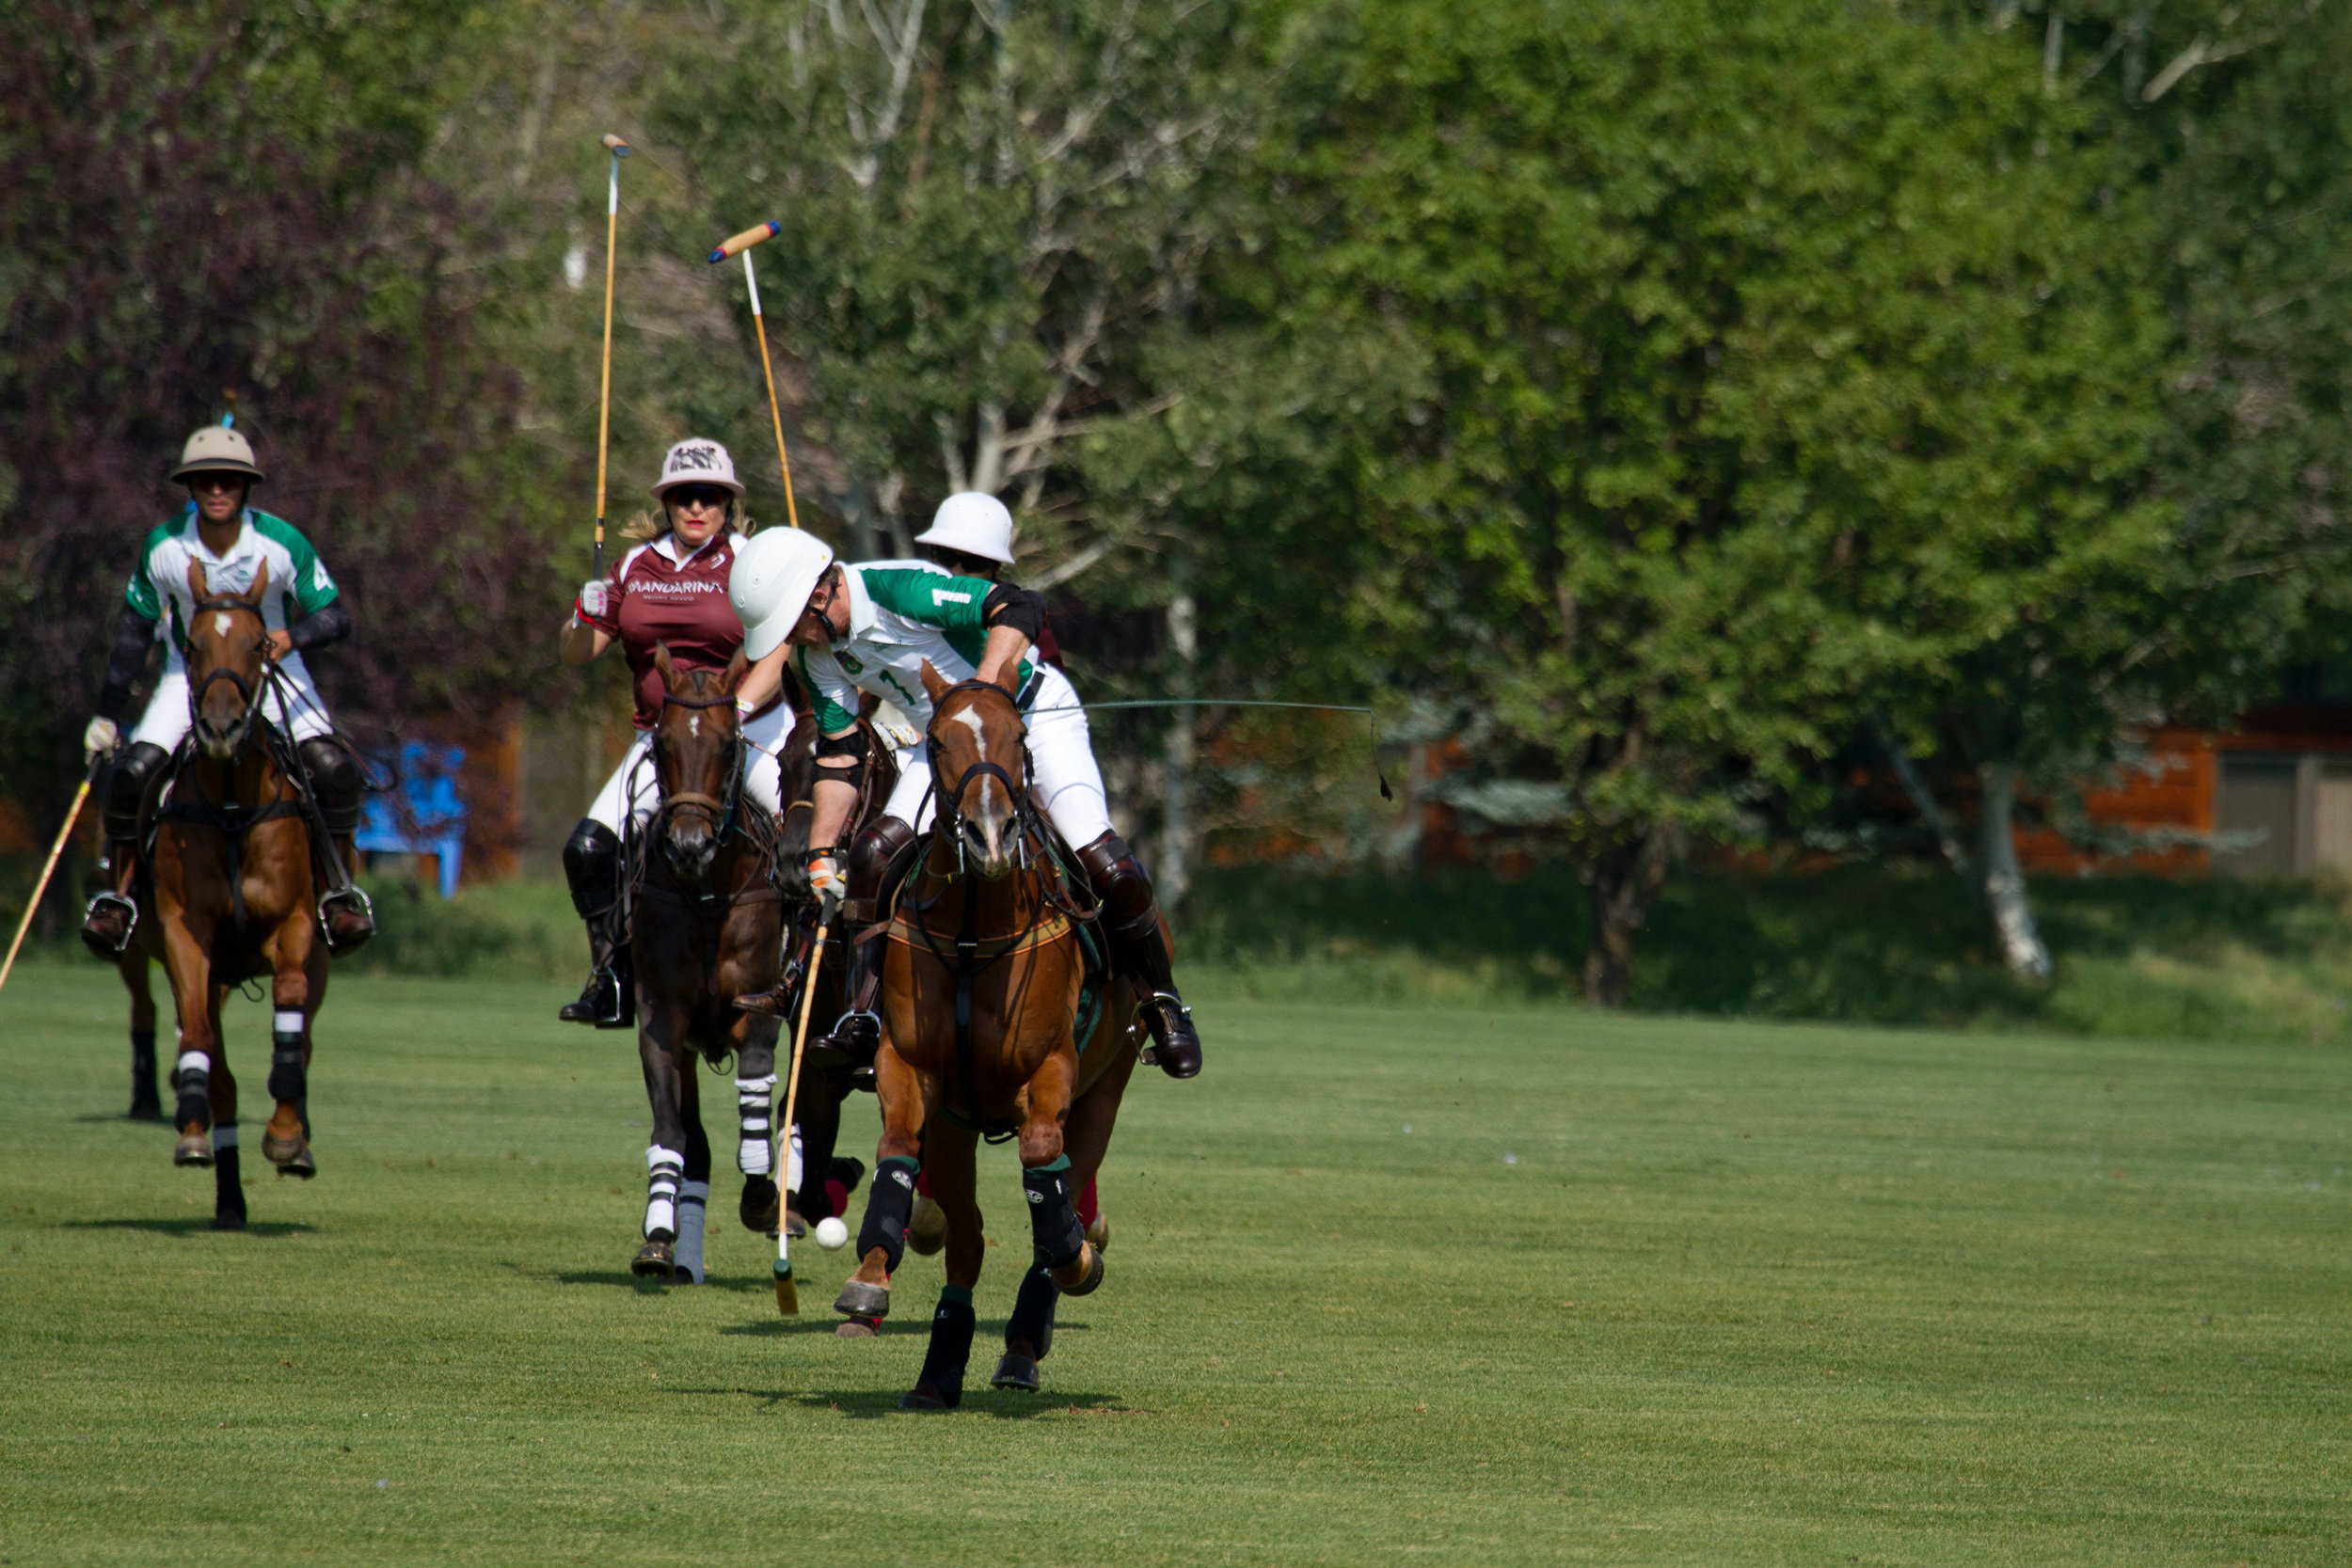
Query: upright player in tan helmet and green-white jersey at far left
x: 302, y: 610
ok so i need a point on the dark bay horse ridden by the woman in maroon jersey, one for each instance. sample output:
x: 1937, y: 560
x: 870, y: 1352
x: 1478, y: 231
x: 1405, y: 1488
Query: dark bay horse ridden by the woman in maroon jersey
x: 707, y: 925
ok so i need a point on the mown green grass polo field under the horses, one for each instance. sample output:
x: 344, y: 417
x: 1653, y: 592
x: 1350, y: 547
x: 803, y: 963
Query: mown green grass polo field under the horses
x: 1384, y: 1287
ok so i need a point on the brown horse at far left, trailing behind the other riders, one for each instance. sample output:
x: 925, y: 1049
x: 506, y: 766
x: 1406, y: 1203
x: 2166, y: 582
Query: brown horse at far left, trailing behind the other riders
x: 236, y: 894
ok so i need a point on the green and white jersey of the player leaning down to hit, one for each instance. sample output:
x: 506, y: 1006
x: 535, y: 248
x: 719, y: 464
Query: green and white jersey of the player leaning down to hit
x: 902, y: 615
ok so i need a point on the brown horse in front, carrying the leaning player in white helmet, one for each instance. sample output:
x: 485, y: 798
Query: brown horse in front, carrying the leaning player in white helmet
x: 982, y: 1038
